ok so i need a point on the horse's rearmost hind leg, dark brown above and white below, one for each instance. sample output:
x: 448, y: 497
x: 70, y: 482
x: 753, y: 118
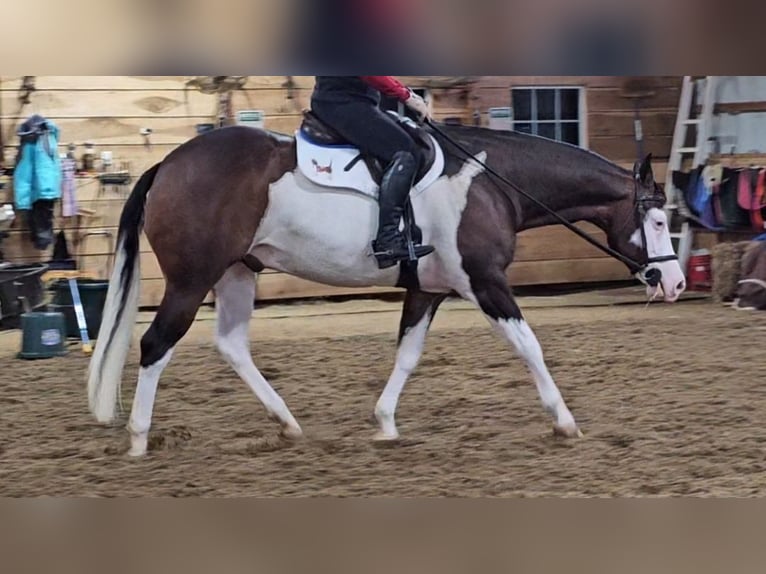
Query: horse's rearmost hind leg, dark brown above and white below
x: 174, y: 317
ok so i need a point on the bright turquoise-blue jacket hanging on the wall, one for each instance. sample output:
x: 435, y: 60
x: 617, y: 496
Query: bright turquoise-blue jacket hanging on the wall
x: 37, y: 174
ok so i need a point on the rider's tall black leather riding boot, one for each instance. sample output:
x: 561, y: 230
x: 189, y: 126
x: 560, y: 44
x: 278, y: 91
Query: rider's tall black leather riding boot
x: 390, y: 246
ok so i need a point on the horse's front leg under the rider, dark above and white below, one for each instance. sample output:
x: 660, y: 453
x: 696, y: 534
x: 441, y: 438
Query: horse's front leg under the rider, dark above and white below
x: 418, y: 312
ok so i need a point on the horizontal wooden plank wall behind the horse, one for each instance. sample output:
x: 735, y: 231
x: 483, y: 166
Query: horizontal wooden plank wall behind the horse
x: 110, y: 111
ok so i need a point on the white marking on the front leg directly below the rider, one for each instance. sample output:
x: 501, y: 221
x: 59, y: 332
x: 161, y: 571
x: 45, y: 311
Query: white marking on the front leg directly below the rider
x: 407, y: 358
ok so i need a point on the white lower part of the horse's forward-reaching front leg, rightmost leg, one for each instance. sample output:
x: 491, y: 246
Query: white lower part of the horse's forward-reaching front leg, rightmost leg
x: 520, y: 335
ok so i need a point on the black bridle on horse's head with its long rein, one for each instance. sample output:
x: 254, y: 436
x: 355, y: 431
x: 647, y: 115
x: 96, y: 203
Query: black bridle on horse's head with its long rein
x: 648, y: 275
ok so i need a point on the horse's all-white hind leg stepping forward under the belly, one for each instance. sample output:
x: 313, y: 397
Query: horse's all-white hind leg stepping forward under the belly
x: 235, y: 293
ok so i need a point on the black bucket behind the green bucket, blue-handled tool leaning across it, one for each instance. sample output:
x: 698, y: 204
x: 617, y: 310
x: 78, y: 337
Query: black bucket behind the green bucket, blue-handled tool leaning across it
x: 92, y: 296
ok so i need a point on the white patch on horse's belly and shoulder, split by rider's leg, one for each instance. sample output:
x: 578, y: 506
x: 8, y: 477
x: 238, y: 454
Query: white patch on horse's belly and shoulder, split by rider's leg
x: 325, y: 235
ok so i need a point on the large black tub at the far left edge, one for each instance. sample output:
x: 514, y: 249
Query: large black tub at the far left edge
x: 21, y: 290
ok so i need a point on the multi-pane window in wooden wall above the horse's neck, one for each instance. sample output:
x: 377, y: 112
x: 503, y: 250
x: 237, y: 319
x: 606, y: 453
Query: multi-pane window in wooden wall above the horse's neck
x: 551, y: 112
